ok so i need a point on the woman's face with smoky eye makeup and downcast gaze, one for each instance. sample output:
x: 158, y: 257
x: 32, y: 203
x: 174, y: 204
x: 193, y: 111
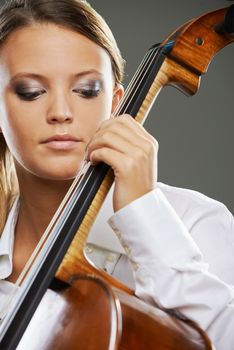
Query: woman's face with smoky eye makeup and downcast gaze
x: 57, y: 87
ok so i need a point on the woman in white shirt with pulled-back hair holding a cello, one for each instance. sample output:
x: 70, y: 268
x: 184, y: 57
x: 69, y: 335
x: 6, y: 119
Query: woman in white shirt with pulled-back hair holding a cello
x: 60, y: 78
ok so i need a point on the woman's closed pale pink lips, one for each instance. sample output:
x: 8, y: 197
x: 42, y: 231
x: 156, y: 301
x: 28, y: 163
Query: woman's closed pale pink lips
x: 61, y: 142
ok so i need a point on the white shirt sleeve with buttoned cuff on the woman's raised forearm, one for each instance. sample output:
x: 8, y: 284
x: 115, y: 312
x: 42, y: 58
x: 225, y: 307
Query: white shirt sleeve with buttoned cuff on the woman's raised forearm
x: 169, y: 268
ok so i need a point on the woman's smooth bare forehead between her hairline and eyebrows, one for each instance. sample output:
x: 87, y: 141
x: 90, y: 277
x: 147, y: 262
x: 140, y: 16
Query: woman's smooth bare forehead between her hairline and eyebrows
x: 48, y: 47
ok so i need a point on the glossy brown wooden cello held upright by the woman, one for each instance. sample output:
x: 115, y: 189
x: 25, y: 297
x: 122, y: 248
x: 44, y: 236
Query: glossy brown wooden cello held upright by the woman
x: 179, y: 61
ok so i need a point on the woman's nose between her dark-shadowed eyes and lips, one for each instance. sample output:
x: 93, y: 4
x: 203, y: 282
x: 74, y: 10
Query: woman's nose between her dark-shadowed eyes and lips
x: 59, y: 110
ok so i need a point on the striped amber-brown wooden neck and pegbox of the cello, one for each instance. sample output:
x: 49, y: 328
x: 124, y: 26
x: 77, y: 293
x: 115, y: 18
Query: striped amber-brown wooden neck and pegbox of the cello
x: 183, y: 68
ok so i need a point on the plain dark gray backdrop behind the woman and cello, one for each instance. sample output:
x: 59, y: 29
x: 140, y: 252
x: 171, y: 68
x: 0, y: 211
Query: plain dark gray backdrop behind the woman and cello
x: 196, y: 133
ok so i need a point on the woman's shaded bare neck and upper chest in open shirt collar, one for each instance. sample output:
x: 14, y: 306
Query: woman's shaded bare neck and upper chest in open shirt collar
x: 39, y: 200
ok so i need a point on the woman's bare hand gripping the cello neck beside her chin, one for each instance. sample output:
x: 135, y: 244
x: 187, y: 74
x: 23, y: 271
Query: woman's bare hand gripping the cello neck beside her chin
x: 131, y: 151
